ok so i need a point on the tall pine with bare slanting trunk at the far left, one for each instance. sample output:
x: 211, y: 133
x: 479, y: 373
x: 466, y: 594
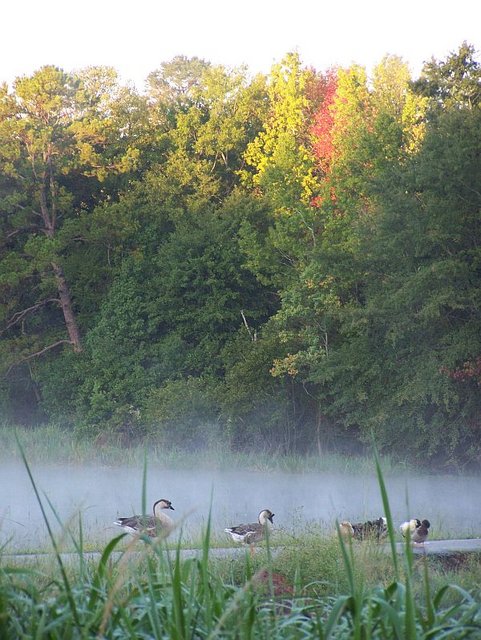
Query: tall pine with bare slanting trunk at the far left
x: 36, y: 150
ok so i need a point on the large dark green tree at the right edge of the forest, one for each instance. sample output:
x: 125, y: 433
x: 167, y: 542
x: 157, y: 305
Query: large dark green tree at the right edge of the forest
x: 429, y: 291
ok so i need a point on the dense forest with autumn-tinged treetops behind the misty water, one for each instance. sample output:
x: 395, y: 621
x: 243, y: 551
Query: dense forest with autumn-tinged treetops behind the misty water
x: 289, y: 261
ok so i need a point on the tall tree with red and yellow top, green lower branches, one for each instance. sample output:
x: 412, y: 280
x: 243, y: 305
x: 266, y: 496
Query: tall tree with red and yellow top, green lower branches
x: 358, y: 133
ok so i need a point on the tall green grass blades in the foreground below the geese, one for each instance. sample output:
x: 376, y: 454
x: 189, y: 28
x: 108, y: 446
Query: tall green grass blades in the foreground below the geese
x: 143, y: 590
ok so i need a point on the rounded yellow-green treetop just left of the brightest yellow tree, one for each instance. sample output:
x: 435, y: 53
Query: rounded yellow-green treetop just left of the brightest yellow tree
x: 213, y: 112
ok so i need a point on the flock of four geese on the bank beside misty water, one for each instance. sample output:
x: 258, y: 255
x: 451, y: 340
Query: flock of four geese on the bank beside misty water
x: 160, y: 525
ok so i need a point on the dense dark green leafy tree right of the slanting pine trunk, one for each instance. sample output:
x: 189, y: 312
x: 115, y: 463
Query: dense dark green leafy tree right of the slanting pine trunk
x: 170, y: 312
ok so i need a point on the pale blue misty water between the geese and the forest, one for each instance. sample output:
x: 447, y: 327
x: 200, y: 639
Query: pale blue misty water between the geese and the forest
x: 101, y: 494
